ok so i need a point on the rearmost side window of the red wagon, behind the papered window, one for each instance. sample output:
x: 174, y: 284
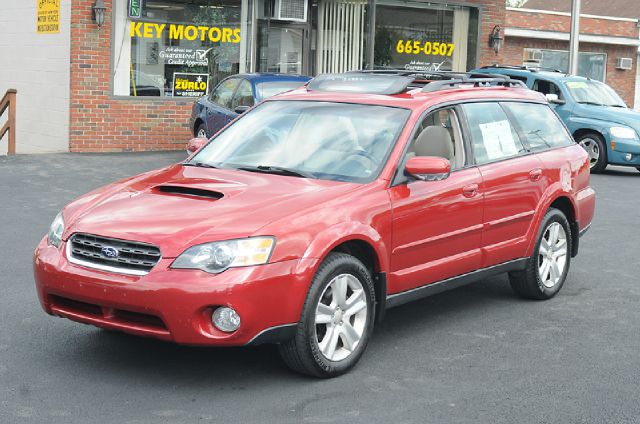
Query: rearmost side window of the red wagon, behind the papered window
x: 541, y: 127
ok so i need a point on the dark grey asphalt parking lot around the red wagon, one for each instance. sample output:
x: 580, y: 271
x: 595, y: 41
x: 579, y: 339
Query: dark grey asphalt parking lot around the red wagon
x: 477, y: 354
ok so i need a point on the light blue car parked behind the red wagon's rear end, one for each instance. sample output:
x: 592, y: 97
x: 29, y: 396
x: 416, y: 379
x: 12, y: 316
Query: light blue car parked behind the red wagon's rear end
x: 595, y: 114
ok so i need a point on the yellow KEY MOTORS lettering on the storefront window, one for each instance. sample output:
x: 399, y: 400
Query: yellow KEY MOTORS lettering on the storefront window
x: 185, y: 32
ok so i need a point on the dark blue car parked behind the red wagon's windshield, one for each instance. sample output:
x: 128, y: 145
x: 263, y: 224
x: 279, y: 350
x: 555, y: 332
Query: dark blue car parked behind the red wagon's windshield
x: 234, y: 95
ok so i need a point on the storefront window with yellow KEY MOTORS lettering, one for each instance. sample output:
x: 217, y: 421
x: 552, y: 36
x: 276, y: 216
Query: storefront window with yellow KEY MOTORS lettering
x: 177, y: 48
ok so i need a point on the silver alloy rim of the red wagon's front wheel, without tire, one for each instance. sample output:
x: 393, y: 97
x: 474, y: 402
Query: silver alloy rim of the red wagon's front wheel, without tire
x: 341, y: 317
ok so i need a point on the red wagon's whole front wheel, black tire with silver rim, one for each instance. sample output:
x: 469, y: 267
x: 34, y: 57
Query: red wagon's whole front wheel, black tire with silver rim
x: 337, y: 319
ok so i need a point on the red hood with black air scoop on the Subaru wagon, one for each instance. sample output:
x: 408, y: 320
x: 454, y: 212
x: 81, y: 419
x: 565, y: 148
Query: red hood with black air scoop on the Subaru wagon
x: 182, y: 206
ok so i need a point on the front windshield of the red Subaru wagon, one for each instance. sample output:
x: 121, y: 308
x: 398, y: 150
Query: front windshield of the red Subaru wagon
x: 332, y: 141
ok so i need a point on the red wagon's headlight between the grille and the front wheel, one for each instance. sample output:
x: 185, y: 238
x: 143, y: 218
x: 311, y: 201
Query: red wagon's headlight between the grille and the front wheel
x: 219, y: 256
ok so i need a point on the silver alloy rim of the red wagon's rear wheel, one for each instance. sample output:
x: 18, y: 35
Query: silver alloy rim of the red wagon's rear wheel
x: 552, y: 255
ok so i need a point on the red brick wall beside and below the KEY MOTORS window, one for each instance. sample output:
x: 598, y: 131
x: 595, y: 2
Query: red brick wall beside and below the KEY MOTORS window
x: 99, y: 123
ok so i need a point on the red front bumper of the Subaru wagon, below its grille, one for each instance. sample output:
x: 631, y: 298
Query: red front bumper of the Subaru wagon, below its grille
x: 175, y: 305
